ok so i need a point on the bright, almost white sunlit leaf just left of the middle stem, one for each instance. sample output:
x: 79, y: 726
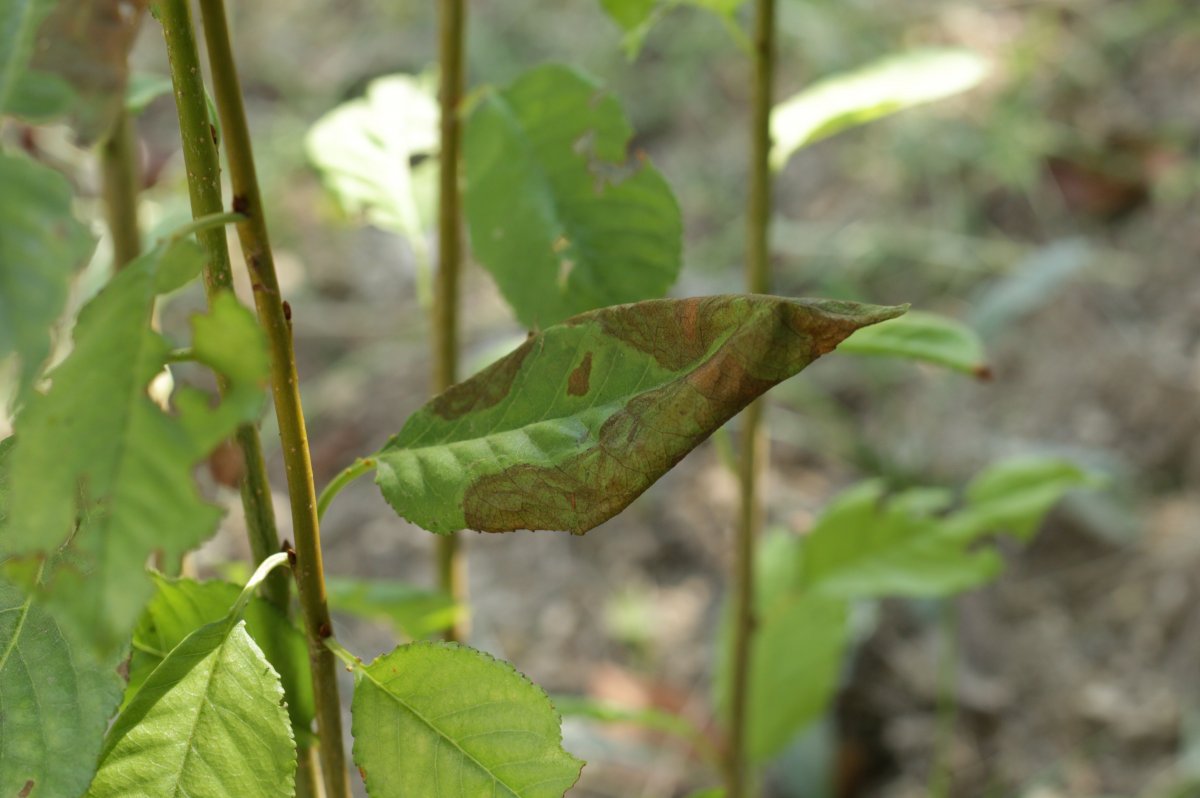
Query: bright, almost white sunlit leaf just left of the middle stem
x: 365, y: 151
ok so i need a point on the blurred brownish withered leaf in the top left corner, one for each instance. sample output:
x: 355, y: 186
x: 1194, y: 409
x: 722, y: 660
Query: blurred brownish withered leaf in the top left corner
x: 83, y: 45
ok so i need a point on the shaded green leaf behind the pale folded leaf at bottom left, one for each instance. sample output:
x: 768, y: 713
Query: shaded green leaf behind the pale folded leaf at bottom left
x: 181, y: 607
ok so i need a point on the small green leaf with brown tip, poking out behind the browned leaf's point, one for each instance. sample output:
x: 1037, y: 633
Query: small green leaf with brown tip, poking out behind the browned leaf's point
x: 923, y: 337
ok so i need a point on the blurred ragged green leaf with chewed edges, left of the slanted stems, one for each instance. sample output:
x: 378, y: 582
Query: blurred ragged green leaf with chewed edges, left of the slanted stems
x: 98, y: 463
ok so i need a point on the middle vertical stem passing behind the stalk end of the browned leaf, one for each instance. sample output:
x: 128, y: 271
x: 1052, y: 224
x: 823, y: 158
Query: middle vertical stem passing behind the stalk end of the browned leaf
x: 452, y: 561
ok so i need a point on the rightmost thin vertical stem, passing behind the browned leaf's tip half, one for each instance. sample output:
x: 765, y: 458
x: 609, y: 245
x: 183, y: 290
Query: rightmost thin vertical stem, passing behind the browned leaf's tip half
x: 754, y: 443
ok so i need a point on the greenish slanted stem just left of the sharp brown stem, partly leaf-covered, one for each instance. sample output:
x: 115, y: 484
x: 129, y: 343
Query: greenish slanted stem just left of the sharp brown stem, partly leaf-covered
x: 208, y: 212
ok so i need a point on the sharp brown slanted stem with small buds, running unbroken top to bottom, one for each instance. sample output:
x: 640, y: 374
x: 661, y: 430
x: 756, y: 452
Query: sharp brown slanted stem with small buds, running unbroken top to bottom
x: 286, y: 389
